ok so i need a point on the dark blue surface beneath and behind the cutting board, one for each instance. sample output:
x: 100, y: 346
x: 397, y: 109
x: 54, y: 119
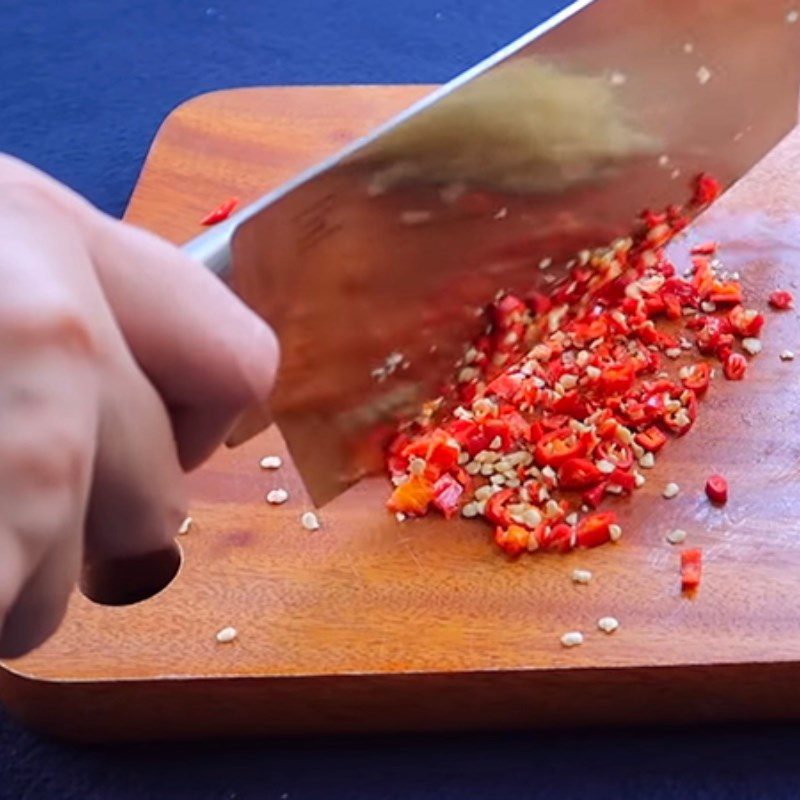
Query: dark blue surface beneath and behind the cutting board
x: 83, y: 87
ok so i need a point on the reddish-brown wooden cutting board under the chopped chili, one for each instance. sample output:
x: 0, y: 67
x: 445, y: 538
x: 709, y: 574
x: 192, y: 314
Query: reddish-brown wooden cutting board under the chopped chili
x: 372, y: 625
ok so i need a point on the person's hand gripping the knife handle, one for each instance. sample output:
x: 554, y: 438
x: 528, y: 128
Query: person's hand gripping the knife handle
x: 122, y: 364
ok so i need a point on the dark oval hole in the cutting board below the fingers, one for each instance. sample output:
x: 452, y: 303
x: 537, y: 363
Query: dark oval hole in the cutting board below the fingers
x: 131, y: 580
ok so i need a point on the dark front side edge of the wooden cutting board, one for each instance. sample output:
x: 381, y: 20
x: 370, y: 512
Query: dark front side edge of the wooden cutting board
x: 358, y: 704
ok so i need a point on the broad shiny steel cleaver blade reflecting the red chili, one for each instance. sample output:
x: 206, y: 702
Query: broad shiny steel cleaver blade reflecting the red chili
x: 374, y: 266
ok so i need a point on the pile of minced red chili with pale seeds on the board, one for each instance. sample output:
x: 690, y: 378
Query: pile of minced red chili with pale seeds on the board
x: 564, y: 398
